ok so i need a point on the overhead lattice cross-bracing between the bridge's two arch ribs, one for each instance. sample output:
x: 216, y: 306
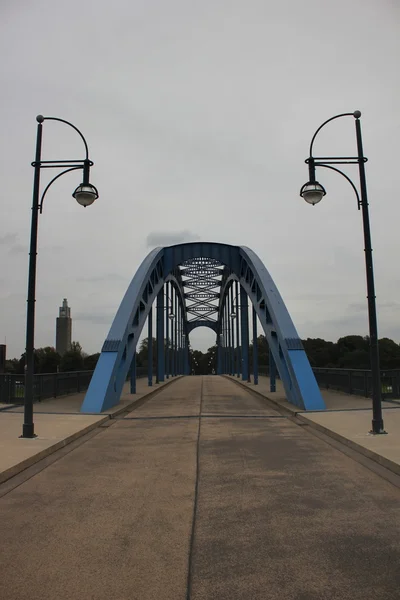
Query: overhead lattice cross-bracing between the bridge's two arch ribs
x: 201, y: 280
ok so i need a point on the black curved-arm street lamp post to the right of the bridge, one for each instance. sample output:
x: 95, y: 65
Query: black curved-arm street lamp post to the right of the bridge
x: 313, y: 192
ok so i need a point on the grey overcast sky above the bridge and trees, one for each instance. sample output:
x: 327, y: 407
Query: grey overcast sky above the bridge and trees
x: 198, y: 117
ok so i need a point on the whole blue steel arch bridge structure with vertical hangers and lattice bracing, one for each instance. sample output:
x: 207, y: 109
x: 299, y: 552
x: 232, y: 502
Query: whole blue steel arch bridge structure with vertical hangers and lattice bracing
x: 202, y: 285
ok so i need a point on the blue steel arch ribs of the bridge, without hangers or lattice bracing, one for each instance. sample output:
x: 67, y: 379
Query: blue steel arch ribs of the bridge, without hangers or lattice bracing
x: 163, y: 264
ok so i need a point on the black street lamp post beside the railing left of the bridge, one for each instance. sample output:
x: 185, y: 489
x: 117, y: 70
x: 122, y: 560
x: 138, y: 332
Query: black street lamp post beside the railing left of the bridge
x: 85, y: 194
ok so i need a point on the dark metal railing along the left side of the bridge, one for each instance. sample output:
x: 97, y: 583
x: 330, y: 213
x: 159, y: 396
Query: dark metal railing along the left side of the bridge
x: 48, y: 385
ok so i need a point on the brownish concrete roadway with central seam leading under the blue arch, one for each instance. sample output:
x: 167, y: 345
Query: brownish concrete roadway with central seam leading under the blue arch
x: 242, y: 503
